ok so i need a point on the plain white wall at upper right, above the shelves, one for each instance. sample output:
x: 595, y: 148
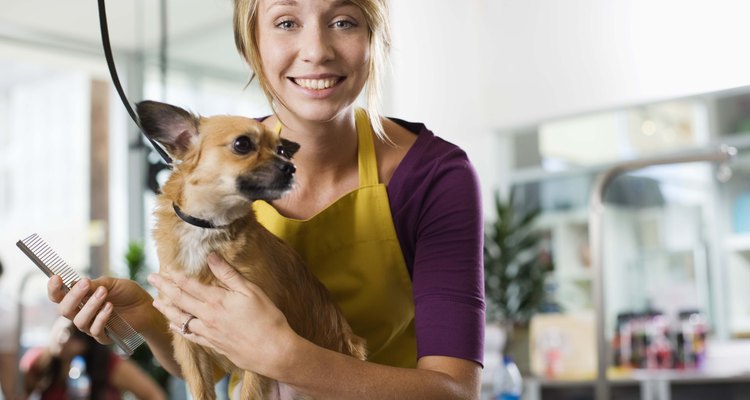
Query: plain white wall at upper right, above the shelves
x: 469, y: 71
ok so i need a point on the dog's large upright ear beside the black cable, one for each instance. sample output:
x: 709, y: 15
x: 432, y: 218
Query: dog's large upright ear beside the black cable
x: 173, y: 127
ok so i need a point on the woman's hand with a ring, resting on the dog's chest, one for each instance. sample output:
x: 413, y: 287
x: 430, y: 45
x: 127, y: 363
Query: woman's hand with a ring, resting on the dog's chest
x: 236, y: 319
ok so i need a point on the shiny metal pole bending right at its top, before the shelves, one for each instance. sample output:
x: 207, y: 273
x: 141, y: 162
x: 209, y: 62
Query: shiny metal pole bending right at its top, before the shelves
x: 596, y: 235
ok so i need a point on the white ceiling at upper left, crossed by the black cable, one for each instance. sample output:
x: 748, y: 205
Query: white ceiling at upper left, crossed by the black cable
x: 199, y: 32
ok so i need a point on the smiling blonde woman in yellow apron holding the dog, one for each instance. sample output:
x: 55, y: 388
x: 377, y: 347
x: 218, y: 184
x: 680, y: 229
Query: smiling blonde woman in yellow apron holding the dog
x: 392, y: 225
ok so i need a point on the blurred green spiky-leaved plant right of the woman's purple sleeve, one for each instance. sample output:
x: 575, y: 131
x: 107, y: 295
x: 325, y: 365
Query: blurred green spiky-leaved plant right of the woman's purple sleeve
x: 516, y: 266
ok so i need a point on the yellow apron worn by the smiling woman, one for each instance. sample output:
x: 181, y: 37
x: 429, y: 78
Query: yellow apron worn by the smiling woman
x: 352, y: 247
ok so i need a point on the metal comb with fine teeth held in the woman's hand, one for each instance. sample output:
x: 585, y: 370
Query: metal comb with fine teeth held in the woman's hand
x: 50, y: 263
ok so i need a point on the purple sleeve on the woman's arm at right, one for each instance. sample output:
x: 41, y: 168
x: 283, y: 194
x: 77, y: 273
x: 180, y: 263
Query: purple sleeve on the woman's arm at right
x: 436, y: 205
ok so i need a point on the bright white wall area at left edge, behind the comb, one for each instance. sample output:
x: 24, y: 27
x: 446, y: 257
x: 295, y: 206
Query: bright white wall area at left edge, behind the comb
x: 44, y: 168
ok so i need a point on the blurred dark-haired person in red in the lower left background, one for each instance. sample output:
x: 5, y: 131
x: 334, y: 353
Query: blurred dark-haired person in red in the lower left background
x: 45, y: 370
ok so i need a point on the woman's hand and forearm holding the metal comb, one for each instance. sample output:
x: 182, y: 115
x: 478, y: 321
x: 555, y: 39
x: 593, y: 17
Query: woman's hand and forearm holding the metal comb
x: 130, y: 300
